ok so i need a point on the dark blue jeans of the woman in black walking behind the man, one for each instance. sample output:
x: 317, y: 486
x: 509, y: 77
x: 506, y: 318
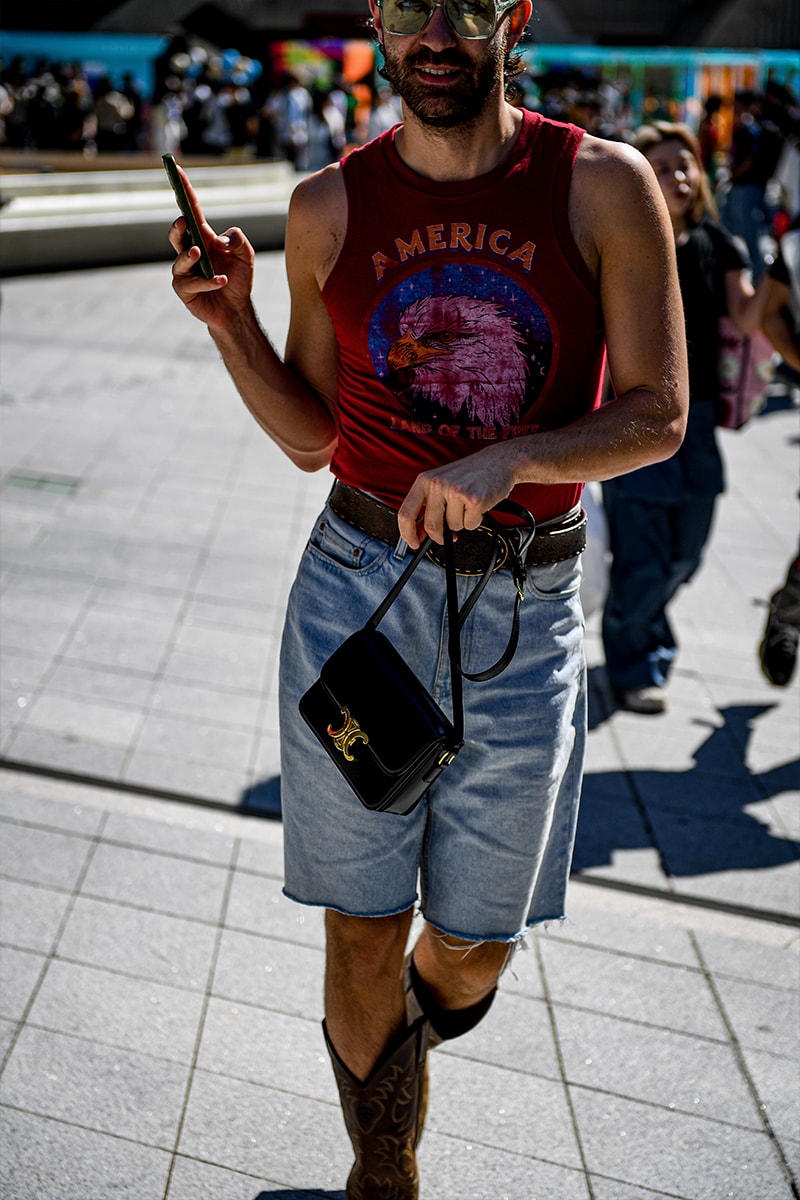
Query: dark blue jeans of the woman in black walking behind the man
x: 657, y: 548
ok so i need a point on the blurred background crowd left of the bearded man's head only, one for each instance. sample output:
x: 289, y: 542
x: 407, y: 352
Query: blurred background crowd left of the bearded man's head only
x: 59, y: 107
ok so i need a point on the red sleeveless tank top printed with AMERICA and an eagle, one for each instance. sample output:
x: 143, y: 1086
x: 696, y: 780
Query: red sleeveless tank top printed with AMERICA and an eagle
x: 464, y: 314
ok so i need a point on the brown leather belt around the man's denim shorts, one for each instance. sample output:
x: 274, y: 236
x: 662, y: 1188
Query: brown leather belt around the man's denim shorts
x: 554, y: 543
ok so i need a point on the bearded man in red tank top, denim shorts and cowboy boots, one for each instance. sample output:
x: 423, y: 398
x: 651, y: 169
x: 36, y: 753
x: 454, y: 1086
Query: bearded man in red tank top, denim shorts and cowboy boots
x: 456, y: 287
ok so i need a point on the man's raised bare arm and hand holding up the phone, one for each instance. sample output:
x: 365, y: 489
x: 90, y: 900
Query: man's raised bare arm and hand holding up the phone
x: 293, y: 400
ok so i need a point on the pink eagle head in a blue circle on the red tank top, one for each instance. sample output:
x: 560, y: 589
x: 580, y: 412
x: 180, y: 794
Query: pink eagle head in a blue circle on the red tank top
x: 462, y: 344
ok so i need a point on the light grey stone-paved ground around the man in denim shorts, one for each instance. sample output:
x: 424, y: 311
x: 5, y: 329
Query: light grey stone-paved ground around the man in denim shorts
x: 161, y: 1000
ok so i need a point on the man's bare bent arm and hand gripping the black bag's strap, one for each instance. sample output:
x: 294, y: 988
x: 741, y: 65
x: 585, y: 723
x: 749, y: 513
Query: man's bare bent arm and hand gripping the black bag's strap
x: 623, y: 231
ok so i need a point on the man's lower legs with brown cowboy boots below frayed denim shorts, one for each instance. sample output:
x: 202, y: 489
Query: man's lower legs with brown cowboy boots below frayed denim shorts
x: 377, y: 1052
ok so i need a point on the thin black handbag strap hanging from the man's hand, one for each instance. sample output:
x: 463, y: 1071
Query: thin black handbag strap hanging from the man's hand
x: 518, y: 548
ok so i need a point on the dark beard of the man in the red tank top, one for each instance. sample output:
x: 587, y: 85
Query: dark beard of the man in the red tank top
x: 448, y: 106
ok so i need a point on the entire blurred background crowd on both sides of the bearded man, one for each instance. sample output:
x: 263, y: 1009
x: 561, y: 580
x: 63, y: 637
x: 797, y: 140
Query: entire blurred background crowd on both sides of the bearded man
x: 206, y: 106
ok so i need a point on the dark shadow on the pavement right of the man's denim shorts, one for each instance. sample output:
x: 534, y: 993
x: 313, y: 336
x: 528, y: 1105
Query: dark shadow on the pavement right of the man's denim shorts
x: 695, y: 819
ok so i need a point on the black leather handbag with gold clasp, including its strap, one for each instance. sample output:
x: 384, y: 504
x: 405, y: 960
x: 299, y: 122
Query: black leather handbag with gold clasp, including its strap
x: 380, y: 725
